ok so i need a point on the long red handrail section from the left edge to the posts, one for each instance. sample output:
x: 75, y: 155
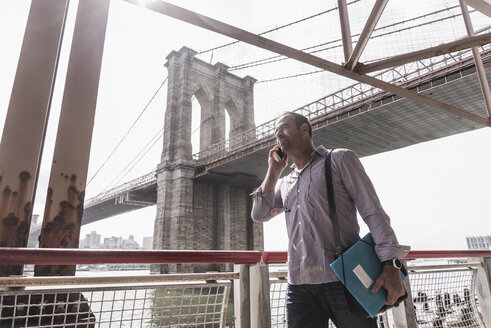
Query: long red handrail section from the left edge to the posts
x: 70, y: 256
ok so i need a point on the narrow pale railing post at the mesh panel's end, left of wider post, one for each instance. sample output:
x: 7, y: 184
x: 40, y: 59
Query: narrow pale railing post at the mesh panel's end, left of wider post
x: 242, y: 311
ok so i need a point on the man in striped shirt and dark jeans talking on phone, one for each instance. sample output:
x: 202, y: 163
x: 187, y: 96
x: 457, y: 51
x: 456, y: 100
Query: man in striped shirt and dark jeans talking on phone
x: 314, y: 294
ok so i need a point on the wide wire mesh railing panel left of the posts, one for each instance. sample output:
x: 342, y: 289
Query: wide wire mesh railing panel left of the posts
x: 156, y: 305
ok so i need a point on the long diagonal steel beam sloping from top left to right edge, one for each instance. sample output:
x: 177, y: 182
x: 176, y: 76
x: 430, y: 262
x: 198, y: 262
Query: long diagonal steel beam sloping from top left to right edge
x: 259, y: 41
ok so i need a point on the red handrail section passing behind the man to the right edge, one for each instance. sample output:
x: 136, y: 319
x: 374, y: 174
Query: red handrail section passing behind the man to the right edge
x: 282, y: 257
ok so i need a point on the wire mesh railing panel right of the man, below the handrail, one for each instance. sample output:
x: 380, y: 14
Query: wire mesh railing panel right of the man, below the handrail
x: 445, y: 298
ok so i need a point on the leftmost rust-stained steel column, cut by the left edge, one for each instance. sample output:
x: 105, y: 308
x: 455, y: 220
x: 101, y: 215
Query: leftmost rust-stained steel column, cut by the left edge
x: 25, y: 125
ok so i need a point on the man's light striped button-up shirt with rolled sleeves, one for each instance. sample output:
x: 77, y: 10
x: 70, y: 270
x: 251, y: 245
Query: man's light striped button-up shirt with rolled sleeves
x: 302, y: 195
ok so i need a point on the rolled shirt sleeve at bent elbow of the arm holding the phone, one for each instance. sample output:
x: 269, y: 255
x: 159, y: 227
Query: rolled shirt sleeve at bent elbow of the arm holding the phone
x: 268, y: 205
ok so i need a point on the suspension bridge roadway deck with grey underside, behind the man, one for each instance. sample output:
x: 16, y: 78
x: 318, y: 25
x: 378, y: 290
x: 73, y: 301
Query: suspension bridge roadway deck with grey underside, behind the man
x: 376, y: 124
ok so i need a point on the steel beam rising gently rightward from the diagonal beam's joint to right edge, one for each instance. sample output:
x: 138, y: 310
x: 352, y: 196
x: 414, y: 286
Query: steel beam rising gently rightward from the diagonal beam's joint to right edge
x: 427, y: 53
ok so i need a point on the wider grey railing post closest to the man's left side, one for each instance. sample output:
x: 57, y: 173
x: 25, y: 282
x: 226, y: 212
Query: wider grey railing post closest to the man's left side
x: 259, y: 296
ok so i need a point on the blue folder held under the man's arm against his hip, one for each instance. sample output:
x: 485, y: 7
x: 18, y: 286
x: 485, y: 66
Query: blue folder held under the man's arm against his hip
x: 361, y: 269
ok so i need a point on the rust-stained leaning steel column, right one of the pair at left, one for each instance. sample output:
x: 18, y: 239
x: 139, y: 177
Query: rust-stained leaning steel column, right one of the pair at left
x: 66, y: 191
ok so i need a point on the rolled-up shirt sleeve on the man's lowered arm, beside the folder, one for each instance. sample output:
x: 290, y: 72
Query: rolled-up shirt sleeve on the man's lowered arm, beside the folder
x: 362, y: 191
